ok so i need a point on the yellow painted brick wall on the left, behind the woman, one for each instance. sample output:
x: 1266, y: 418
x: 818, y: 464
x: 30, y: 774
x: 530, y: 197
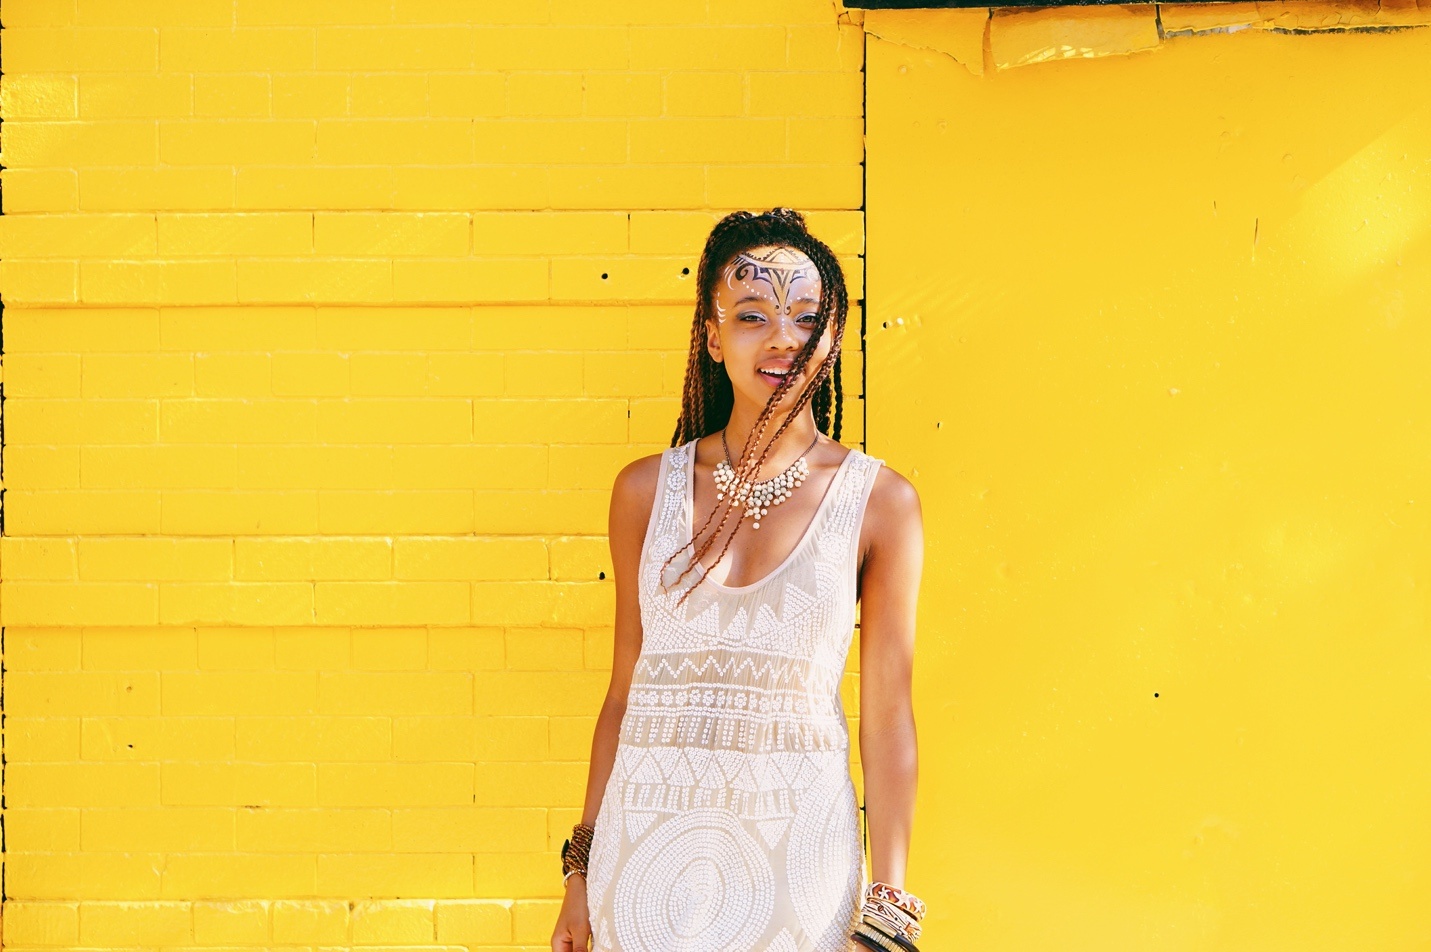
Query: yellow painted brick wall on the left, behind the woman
x: 327, y: 327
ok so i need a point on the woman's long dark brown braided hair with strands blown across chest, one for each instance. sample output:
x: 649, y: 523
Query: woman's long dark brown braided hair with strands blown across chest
x: 708, y: 397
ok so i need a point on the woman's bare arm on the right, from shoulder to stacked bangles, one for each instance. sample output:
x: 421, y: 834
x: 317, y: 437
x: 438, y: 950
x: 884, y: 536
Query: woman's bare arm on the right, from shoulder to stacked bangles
x: 889, y: 593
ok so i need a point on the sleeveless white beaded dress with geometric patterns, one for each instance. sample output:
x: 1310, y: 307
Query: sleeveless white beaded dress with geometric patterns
x: 731, y: 821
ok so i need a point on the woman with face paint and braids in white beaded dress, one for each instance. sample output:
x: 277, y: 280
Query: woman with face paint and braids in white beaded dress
x: 721, y: 815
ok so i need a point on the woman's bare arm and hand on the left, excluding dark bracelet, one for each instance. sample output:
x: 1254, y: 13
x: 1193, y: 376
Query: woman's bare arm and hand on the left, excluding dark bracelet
x: 630, y: 512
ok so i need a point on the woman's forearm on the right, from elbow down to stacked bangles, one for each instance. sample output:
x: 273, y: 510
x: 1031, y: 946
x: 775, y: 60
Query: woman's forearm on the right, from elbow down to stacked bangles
x: 891, y: 761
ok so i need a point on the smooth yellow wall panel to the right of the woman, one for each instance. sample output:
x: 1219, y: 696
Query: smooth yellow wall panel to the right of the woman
x: 1144, y: 333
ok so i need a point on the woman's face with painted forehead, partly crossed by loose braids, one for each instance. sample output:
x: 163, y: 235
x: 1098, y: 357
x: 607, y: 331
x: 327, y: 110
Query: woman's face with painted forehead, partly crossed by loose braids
x: 768, y: 301
